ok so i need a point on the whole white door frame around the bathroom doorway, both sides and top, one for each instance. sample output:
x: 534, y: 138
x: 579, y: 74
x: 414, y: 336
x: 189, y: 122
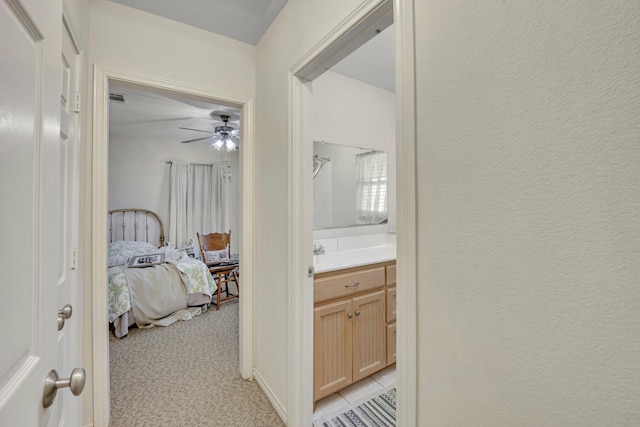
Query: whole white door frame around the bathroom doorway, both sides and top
x: 347, y: 36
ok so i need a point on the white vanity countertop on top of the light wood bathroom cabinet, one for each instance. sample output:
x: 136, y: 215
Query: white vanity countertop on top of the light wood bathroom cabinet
x: 354, y: 258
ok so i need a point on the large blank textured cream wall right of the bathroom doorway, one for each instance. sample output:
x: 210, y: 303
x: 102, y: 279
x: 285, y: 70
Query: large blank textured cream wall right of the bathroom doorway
x: 529, y: 213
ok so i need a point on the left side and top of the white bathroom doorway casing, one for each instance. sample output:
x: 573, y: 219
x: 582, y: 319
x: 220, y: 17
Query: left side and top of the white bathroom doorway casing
x: 360, y: 26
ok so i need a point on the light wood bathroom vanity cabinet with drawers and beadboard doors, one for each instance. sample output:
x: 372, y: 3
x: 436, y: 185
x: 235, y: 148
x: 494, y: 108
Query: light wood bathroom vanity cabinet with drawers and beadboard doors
x: 354, y: 324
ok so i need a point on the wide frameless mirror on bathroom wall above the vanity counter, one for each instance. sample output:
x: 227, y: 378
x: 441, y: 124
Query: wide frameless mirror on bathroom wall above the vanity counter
x: 350, y: 186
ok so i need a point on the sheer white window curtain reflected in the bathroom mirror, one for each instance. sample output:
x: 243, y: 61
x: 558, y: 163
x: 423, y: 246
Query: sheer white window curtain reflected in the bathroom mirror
x: 371, y: 179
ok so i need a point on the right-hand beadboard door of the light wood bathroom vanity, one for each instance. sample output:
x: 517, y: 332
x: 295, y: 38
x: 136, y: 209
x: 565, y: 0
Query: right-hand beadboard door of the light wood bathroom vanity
x: 369, y: 334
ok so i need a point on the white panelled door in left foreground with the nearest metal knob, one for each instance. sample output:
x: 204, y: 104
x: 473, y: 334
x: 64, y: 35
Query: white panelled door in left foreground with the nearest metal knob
x: 32, y: 209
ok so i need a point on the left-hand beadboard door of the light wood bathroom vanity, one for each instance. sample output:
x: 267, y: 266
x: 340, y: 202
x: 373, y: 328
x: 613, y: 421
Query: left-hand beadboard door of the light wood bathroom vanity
x: 332, y: 348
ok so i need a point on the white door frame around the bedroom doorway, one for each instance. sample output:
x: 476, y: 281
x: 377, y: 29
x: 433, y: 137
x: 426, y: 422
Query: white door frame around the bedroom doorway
x: 240, y: 175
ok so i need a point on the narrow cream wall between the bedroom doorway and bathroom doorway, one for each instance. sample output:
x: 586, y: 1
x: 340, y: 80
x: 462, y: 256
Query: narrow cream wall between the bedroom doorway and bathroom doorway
x: 299, y: 26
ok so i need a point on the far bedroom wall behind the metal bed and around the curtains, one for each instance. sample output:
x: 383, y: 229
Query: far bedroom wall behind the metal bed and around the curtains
x: 144, y: 161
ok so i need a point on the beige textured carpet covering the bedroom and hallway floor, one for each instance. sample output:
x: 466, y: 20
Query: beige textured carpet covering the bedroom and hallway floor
x: 186, y: 374
